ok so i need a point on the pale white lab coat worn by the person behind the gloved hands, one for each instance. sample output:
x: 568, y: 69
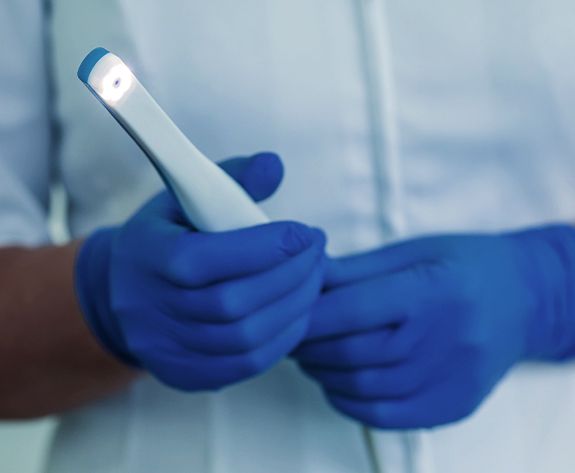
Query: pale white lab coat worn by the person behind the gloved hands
x: 394, y: 118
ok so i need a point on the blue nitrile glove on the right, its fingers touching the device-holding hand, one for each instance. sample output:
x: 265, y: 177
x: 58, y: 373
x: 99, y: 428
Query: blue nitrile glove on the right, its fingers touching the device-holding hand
x: 417, y: 334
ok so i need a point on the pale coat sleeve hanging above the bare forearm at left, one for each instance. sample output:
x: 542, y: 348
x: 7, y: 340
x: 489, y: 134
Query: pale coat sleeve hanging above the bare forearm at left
x: 25, y: 125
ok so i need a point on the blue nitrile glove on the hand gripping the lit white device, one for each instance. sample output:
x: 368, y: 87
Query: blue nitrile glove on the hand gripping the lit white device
x: 201, y: 310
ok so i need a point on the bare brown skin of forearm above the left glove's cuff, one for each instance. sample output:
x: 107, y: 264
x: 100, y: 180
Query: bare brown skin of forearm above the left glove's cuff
x: 49, y: 360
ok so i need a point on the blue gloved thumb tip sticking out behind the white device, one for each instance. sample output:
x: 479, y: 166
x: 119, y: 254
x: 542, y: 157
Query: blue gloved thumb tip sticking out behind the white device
x: 260, y: 175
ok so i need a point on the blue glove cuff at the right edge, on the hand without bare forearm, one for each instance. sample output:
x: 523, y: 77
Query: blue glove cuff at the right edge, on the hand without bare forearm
x: 550, y: 253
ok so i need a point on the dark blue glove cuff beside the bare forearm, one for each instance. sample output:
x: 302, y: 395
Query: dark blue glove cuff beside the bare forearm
x: 91, y: 279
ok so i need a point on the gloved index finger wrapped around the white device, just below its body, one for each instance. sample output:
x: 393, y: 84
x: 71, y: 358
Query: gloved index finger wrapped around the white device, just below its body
x: 201, y: 259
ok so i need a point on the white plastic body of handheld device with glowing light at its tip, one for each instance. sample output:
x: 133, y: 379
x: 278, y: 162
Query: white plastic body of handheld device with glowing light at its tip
x: 211, y: 200
